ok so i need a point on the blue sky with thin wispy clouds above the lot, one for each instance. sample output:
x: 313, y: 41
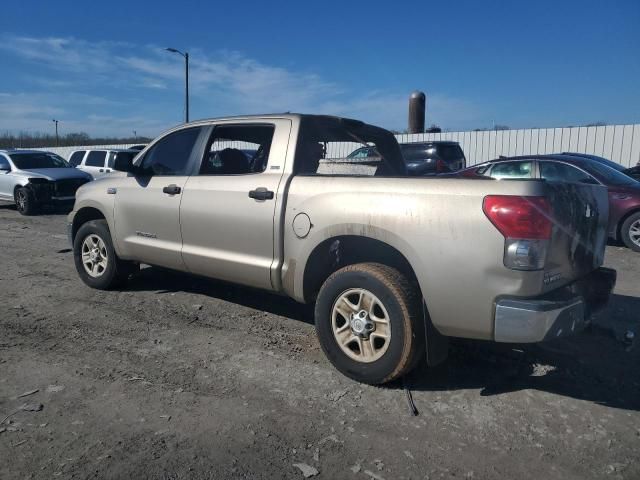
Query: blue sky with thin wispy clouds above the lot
x: 101, y: 67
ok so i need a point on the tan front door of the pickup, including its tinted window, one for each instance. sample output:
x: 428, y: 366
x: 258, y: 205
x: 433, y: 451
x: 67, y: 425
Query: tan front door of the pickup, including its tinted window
x: 147, y: 205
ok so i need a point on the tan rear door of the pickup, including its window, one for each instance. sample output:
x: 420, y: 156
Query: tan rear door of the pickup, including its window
x: 228, y: 208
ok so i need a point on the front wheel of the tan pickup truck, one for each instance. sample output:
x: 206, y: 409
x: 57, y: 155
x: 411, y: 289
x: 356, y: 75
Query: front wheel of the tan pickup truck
x: 93, y: 247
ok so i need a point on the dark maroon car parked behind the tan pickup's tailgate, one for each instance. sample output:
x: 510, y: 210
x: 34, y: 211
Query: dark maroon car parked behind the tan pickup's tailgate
x: 624, y: 192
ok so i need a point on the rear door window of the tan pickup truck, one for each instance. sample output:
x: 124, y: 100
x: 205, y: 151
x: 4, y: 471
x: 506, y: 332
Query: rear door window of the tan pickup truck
x: 238, y: 150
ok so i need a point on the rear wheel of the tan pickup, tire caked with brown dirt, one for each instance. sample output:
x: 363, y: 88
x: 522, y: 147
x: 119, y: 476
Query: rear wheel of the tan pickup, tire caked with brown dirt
x: 381, y: 292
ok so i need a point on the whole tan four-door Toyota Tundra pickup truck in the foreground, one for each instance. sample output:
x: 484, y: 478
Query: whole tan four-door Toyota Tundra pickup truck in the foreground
x: 395, y: 265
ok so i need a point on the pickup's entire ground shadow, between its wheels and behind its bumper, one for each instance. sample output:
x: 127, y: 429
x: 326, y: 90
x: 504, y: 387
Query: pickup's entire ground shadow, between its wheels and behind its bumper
x: 595, y: 366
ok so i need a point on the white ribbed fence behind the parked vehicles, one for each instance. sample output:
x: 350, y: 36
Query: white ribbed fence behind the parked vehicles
x: 620, y: 143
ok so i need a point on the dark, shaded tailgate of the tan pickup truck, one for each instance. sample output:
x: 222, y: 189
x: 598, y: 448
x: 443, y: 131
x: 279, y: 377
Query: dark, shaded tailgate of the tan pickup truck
x: 579, y: 237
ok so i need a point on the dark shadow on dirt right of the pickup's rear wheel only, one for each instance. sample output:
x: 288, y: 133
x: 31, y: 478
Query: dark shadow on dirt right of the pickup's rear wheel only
x: 596, y: 366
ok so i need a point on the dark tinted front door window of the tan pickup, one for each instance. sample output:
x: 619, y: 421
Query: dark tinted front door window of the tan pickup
x: 171, y: 154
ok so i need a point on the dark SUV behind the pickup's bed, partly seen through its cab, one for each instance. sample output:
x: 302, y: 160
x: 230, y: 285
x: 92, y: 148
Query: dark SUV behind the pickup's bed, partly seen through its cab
x: 424, y: 158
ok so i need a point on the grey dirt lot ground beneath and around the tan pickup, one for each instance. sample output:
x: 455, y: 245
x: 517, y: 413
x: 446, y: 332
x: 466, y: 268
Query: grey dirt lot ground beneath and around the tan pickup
x: 180, y: 377
